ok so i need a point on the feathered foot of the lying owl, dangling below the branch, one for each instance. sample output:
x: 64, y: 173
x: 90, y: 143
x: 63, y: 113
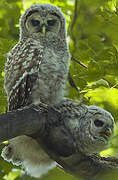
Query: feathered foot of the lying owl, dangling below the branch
x: 9, y: 154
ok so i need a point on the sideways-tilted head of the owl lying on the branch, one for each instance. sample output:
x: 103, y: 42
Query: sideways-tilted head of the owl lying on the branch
x: 95, y: 130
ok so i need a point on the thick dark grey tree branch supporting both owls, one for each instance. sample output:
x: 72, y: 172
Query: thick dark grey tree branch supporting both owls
x: 39, y: 122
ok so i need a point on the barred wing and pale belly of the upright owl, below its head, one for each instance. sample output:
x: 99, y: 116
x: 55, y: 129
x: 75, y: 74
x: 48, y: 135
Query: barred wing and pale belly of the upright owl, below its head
x: 27, y: 70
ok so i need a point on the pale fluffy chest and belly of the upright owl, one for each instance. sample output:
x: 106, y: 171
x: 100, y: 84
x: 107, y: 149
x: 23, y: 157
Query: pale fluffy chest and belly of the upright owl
x: 48, y: 87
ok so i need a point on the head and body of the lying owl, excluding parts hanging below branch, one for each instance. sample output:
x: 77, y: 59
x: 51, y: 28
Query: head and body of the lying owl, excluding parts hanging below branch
x: 91, y: 128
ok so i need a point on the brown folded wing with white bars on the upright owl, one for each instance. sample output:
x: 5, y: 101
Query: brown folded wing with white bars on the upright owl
x: 21, y: 71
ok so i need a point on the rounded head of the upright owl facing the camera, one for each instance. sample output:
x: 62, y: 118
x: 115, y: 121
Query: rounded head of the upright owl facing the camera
x: 42, y: 21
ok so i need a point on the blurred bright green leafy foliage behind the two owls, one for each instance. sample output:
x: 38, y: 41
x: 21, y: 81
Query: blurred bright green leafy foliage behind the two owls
x: 92, y: 35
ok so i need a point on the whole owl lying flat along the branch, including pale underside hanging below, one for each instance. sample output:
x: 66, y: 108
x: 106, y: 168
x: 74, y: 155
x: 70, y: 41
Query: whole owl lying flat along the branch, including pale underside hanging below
x: 78, y: 129
